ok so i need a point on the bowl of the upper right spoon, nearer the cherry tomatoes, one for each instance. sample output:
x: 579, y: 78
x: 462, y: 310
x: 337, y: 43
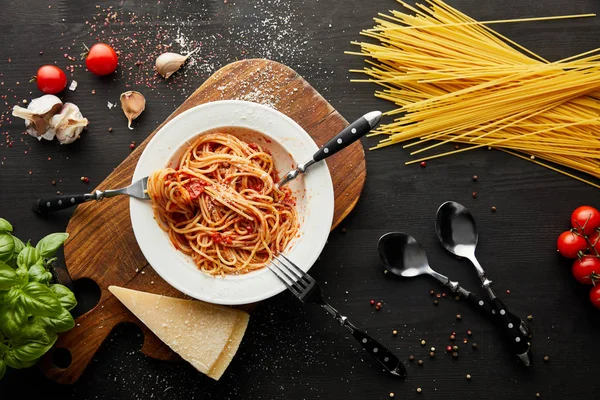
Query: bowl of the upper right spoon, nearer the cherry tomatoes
x: 456, y: 229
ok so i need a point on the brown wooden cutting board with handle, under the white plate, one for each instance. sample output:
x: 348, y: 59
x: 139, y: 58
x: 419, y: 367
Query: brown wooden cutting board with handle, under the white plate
x: 102, y: 246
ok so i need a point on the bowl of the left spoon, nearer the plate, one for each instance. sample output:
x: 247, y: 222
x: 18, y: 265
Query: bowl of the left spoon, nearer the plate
x: 402, y: 255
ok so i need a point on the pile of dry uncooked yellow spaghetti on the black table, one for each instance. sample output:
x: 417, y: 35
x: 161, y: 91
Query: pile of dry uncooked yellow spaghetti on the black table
x: 457, y: 80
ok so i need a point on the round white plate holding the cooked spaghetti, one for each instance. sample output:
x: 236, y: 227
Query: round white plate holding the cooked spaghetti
x: 313, y: 191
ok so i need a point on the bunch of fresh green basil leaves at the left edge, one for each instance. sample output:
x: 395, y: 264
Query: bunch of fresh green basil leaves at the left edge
x: 33, y: 310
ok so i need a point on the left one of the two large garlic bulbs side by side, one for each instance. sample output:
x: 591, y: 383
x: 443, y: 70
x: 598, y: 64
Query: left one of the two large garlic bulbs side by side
x: 38, y: 114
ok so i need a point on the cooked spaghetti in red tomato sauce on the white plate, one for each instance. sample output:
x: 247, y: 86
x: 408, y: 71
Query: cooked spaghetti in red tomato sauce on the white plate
x: 220, y: 205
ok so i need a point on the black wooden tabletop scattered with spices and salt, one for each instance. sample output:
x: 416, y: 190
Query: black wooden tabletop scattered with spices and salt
x: 295, y: 351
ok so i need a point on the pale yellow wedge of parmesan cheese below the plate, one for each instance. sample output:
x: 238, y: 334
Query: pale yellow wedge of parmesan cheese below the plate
x: 206, y: 335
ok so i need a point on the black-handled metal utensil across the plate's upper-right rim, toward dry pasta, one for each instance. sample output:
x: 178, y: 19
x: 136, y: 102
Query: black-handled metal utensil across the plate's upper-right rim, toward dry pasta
x: 346, y: 137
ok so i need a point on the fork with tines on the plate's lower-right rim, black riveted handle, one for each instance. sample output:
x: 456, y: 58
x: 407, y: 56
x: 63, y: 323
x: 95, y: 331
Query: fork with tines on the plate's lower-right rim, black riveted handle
x: 307, y: 290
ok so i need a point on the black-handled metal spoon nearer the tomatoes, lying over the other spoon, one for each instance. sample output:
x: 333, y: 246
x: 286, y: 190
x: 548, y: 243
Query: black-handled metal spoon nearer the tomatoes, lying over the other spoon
x: 457, y: 232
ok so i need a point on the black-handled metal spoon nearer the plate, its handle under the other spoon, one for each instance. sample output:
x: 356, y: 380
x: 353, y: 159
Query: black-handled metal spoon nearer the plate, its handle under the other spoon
x: 403, y: 256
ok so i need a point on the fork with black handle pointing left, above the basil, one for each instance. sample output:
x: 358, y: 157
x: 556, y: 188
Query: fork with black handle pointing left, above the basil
x: 45, y: 205
